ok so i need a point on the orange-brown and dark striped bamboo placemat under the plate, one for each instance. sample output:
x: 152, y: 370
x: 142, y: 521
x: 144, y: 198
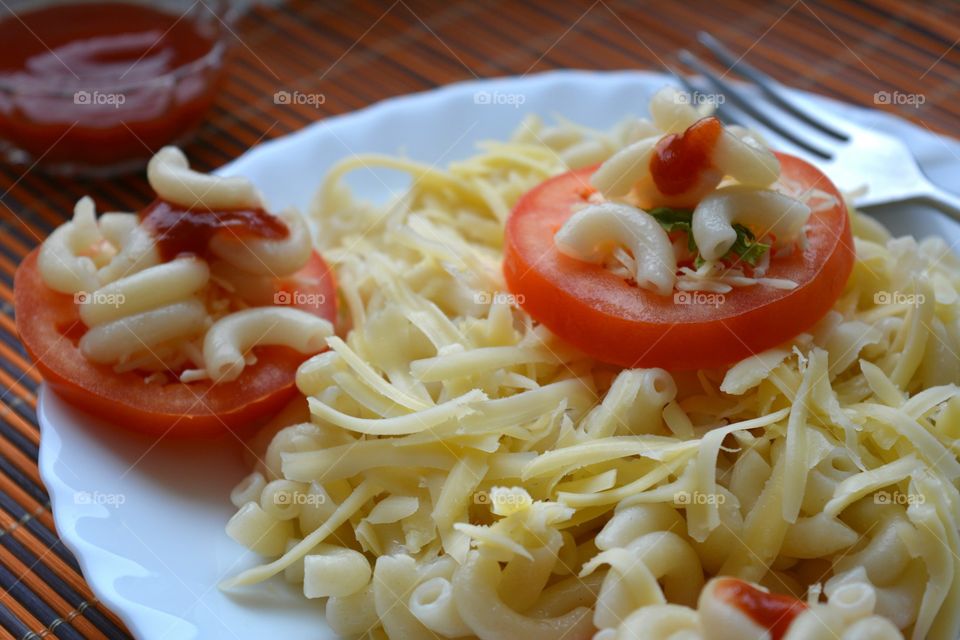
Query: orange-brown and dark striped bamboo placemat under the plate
x: 357, y: 53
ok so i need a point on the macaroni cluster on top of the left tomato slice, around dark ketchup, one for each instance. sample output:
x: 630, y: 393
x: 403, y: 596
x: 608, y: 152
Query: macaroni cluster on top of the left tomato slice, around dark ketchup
x: 146, y: 314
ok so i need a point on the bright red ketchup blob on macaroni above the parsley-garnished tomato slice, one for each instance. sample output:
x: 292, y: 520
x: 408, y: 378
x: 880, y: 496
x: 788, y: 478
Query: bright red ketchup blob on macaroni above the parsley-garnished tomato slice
x: 679, y: 159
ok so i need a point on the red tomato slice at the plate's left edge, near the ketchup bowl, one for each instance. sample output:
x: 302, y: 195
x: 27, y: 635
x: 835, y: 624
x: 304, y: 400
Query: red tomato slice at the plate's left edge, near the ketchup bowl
x: 50, y: 327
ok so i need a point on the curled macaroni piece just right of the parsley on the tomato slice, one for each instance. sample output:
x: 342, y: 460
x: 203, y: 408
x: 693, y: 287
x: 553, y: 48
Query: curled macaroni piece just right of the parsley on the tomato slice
x: 767, y: 211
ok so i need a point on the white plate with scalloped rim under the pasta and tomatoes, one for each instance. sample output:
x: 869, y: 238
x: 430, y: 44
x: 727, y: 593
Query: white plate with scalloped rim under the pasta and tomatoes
x: 145, y: 520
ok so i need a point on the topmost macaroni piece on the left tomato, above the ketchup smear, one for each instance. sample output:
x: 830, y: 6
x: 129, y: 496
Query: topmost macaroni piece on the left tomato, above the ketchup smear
x: 172, y: 179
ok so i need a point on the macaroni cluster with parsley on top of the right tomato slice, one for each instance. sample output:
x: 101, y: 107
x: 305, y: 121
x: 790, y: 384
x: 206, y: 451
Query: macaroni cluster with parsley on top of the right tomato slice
x: 624, y: 181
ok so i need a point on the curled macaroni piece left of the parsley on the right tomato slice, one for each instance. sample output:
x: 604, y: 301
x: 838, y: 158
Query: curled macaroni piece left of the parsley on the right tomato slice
x: 592, y: 234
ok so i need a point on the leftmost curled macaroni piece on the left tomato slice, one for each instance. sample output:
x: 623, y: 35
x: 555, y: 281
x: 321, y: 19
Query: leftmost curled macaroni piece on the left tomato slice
x: 61, y: 264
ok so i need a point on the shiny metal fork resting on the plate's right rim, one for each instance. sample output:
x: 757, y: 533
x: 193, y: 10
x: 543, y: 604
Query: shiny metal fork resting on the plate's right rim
x: 851, y: 155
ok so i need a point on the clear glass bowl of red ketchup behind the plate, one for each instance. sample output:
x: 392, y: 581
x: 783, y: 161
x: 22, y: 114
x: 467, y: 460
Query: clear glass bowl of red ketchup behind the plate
x: 93, y: 88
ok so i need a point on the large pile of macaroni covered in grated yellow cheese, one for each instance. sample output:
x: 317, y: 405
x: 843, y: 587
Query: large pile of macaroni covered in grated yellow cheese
x: 472, y: 476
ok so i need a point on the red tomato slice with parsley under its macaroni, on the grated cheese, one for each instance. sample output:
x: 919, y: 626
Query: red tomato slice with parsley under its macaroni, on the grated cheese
x: 618, y: 323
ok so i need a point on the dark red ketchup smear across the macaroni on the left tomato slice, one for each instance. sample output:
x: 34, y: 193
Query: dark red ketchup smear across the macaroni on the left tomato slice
x: 179, y: 231
